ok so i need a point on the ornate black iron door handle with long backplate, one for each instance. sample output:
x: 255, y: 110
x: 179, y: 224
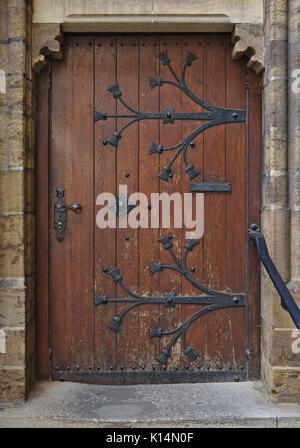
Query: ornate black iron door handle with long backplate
x: 60, y: 214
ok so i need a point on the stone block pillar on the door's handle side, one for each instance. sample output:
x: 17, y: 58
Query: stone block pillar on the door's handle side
x: 16, y: 201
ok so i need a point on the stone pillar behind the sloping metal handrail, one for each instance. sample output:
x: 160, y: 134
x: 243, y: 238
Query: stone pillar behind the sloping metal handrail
x: 280, y: 365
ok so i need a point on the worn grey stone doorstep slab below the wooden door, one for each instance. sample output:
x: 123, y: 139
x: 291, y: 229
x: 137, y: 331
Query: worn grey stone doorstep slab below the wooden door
x: 66, y: 404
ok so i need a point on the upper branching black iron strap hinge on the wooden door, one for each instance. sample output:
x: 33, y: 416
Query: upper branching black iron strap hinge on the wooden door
x: 214, y: 116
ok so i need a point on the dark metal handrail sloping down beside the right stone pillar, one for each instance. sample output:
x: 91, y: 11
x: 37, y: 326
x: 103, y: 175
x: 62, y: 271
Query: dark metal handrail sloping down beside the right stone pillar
x: 287, y: 301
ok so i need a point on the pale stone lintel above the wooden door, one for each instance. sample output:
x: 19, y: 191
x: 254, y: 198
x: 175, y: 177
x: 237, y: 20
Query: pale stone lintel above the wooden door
x: 91, y: 12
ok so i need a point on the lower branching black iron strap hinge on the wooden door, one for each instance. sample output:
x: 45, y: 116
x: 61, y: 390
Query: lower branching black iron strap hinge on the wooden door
x: 213, y: 300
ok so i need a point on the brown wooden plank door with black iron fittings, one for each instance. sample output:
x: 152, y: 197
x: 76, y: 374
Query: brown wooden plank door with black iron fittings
x: 135, y: 305
